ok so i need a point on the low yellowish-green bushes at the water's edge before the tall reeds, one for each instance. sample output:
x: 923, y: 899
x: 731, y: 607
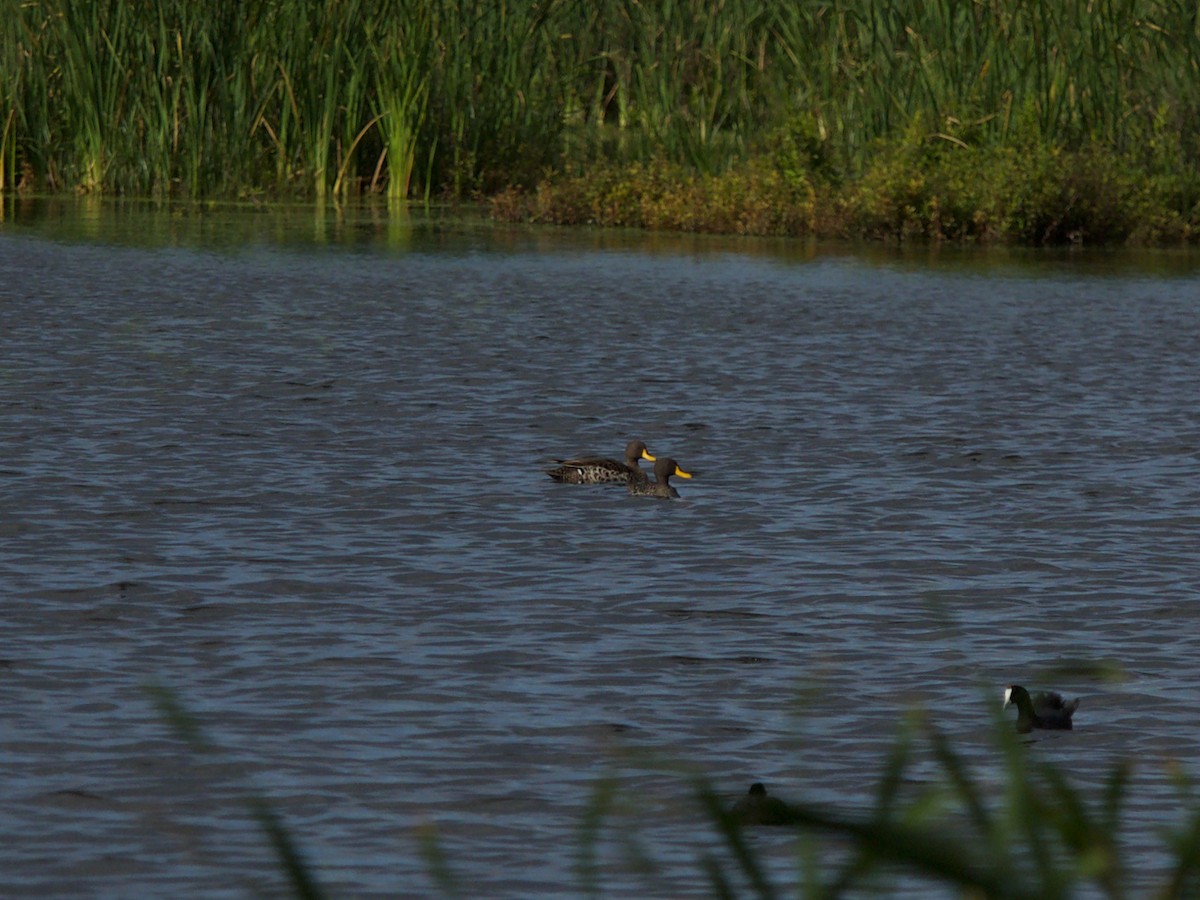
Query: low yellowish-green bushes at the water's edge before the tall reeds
x: 909, y: 191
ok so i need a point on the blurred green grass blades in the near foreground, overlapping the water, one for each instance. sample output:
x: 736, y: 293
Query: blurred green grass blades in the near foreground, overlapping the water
x: 1034, y: 836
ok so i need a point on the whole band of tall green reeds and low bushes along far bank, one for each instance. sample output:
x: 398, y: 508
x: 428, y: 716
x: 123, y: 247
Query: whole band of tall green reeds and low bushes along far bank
x: 873, y: 117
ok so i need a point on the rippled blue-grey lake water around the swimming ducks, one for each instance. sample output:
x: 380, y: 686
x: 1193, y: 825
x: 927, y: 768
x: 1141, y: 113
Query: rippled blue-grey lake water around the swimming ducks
x: 290, y: 467
